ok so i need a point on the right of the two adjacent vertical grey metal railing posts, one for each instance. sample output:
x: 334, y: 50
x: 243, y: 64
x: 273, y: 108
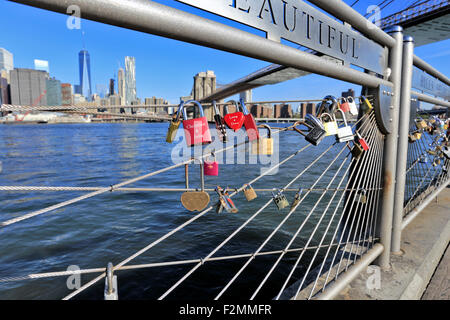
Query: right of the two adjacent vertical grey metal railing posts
x: 402, y: 150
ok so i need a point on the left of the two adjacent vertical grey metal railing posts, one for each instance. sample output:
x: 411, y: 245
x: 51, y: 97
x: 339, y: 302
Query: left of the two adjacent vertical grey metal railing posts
x: 390, y: 152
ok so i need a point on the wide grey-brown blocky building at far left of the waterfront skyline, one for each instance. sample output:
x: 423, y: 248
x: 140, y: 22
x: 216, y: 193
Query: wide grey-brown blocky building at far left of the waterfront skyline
x: 28, y: 87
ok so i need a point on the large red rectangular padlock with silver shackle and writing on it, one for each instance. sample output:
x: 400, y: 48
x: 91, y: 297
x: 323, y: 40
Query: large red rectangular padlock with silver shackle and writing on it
x: 196, y: 130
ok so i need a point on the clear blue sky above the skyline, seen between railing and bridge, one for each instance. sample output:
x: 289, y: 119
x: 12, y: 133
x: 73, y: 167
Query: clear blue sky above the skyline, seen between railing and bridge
x: 164, y: 67
